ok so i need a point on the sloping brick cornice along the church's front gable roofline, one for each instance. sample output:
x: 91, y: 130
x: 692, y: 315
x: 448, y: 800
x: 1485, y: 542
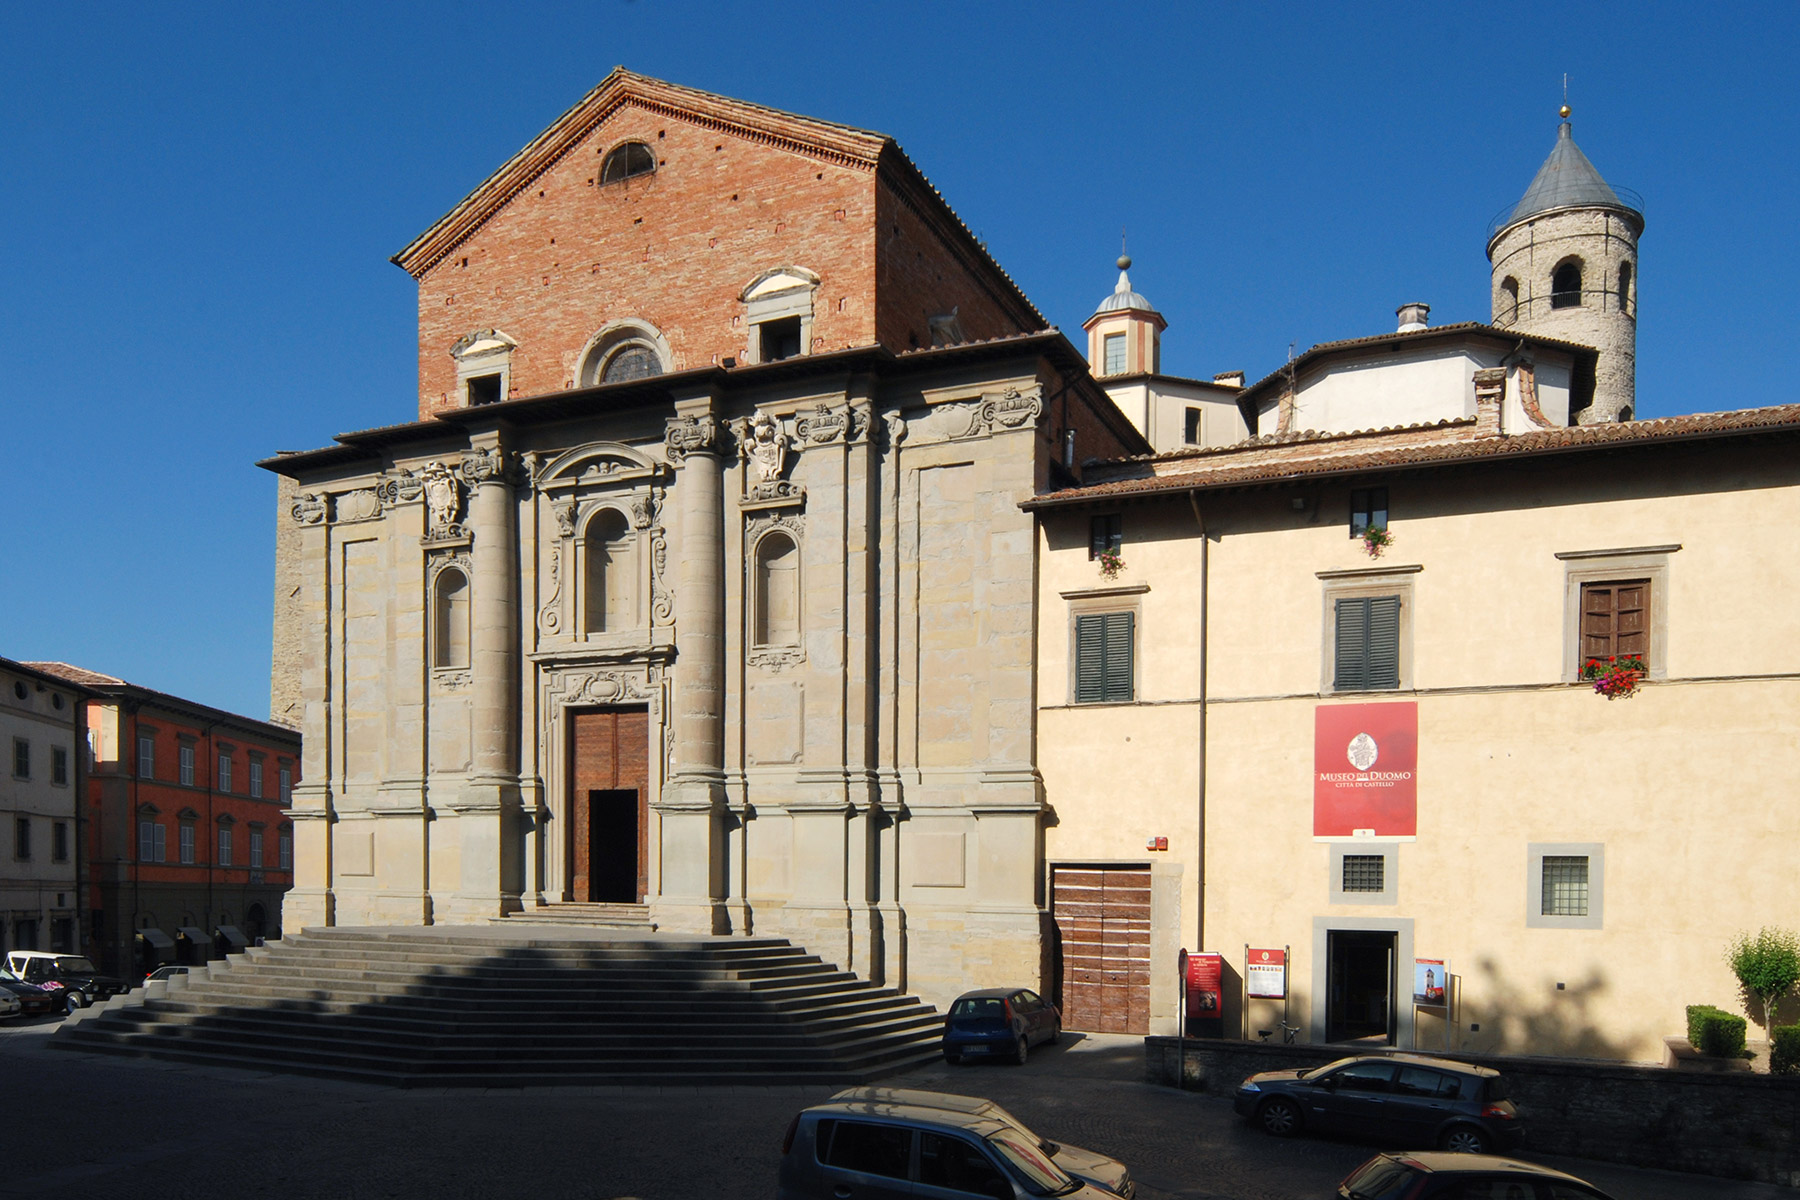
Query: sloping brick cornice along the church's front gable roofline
x: 809, y: 136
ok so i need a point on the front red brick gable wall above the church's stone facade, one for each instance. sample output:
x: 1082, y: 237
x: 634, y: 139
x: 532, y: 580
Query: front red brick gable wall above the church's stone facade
x: 674, y: 249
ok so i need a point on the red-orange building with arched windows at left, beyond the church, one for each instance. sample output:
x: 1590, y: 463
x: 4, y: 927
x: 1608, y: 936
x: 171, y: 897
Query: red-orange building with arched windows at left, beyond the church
x: 186, y: 832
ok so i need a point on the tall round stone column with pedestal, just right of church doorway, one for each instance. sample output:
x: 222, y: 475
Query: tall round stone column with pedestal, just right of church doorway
x: 692, y: 805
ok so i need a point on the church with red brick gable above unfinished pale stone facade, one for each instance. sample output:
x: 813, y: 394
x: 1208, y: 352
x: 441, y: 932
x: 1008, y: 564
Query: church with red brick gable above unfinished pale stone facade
x: 703, y: 582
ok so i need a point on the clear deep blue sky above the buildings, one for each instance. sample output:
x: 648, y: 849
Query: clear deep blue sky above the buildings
x: 201, y: 201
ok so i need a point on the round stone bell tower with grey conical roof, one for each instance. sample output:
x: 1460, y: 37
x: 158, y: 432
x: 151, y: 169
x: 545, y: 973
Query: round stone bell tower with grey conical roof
x: 1565, y: 265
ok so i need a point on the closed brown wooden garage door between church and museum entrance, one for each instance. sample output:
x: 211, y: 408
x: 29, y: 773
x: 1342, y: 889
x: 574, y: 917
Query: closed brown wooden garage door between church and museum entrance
x: 1104, y: 920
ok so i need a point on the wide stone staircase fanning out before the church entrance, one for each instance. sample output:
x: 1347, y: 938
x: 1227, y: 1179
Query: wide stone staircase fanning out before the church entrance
x: 521, y: 1007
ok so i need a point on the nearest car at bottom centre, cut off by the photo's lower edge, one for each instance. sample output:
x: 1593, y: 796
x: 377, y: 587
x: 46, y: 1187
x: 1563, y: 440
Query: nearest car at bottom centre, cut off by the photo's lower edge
x: 868, y: 1151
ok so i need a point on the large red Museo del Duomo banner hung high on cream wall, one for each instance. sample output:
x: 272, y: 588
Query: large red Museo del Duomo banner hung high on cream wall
x: 1365, y: 760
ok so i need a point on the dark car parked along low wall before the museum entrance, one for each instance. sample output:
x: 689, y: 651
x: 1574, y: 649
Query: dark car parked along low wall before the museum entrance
x: 1405, y: 1100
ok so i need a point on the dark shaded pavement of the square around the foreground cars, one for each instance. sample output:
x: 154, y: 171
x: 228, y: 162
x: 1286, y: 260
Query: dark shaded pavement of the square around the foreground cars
x: 121, y: 1127
